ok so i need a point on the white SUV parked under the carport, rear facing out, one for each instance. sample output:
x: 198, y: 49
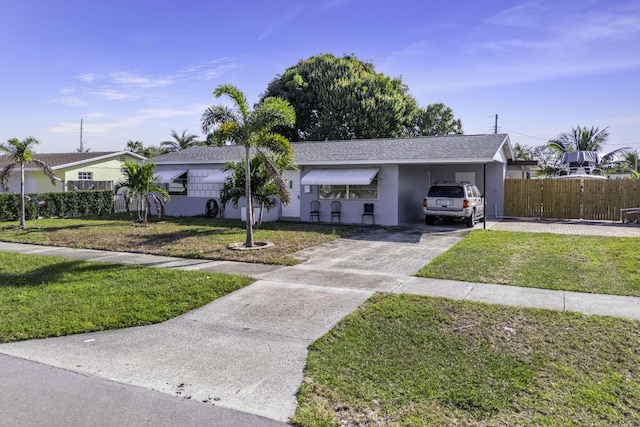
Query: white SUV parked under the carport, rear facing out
x: 453, y: 199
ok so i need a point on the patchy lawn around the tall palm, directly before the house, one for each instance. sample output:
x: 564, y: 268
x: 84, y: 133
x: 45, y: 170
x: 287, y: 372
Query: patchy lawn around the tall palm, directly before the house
x: 187, y: 237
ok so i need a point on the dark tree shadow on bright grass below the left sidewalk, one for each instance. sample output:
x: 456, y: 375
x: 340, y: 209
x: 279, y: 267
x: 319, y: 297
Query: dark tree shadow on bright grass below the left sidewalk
x: 51, y: 273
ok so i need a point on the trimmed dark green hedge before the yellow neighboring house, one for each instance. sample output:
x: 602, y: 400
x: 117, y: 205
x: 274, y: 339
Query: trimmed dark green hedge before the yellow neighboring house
x: 47, y: 205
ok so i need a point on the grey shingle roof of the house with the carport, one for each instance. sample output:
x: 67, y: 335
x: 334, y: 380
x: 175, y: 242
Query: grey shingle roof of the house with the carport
x: 428, y: 149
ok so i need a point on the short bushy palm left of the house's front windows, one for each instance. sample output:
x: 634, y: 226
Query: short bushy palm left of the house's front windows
x: 138, y: 188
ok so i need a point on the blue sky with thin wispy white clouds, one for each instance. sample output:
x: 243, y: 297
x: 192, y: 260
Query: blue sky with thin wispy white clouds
x: 137, y: 69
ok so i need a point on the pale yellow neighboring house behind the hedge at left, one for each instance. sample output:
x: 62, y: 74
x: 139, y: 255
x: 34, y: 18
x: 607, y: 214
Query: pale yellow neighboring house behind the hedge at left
x: 73, y: 171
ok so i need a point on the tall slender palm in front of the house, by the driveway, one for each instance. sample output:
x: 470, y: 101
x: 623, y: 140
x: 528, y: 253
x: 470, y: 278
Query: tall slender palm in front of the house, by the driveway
x: 241, y: 126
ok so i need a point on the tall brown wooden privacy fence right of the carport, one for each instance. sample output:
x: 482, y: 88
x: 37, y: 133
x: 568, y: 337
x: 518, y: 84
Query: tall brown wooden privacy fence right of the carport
x: 590, y: 199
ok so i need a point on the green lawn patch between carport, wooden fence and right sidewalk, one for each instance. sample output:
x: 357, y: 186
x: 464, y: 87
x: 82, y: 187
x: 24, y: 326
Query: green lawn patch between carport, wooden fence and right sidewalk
x: 605, y: 265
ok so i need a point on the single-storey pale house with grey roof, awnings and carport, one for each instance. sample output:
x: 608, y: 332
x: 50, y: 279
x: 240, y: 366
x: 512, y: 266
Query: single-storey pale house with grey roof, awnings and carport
x: 393, y: 174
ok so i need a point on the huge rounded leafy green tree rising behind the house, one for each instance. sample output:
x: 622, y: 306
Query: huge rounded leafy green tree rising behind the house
x: 343, y: 98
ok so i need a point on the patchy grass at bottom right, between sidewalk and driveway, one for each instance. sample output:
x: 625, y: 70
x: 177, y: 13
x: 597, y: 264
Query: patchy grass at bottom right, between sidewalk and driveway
x: 404, y: 360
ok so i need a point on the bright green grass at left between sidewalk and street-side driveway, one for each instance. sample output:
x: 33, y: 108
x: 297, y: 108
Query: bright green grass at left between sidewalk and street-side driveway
x: 50, y: 296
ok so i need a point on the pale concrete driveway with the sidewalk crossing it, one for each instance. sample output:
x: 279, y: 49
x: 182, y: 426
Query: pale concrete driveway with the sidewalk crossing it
x: 247, y: 350
